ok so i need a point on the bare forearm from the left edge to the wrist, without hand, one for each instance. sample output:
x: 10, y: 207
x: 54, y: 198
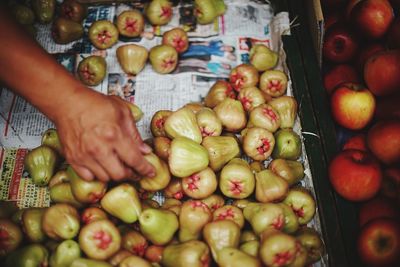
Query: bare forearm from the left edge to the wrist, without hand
x: 31, y: 72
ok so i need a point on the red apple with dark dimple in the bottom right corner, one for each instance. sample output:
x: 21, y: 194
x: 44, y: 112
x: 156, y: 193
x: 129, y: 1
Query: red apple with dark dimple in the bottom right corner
x: 379, y: 242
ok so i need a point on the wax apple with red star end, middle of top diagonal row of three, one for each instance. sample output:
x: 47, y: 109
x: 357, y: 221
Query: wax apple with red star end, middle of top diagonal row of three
x: 130, y: 23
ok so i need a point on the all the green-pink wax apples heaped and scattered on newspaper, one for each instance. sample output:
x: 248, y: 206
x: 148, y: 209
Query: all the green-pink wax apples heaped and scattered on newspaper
x: 219, y: 209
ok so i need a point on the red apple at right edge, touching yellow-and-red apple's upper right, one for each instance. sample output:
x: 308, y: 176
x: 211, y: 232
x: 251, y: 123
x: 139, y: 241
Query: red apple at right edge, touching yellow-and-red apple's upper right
x: 381, y: 73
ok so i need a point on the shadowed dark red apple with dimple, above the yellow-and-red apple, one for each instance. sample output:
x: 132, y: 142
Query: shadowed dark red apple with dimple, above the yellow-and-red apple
x: 340, y: 44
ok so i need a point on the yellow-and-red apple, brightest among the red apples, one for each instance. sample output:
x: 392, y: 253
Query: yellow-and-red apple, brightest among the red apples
x: 352, y: 106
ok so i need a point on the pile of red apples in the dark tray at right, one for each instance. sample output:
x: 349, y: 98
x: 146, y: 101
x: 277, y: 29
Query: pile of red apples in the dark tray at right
x: 361, y: 74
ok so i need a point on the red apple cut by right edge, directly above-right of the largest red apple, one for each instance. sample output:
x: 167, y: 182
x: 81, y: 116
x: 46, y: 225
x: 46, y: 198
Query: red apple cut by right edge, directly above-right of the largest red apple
x: 383, y: 140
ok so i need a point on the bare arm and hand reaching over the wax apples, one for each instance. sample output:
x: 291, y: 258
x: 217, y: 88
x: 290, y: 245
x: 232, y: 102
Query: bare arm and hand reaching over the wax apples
x: 98, y: 134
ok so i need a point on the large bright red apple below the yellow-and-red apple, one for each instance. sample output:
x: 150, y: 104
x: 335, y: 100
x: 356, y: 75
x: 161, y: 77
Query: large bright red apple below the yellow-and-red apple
x: 355, y: 175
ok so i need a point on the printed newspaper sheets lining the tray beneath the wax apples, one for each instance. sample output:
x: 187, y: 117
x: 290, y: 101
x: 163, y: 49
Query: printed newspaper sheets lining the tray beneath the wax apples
x: 214, y: 50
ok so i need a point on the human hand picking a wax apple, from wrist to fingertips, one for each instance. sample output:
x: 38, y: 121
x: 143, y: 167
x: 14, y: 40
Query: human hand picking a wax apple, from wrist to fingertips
x: 100, y: 139
